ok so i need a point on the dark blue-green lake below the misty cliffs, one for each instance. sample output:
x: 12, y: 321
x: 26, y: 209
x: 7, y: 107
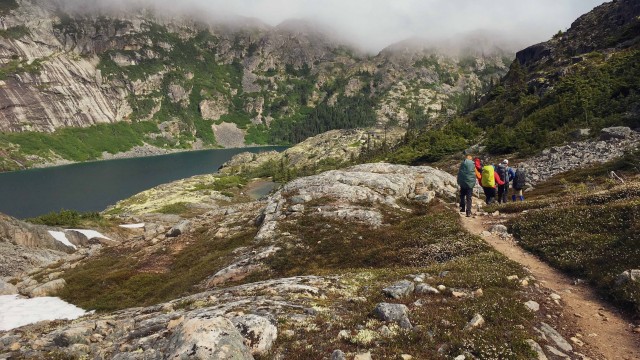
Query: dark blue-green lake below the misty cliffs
x: 94, y: 186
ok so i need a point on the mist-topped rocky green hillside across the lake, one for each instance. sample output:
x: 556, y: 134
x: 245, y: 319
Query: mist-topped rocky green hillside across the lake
x: 117, y: 81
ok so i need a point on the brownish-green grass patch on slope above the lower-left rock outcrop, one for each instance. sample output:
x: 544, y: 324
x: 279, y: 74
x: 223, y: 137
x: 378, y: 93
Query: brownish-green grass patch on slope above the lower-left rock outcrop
x: 116, y: 279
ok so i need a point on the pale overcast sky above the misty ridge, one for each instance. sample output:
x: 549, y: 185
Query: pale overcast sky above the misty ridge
x: 374, y: 24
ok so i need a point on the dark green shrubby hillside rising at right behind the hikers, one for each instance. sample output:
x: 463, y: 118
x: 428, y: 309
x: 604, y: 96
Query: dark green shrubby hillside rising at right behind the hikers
x: 564, y: 90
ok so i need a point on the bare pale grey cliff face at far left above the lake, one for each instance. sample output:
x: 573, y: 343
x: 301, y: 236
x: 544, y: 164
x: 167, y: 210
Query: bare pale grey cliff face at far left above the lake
x: 45, y: 87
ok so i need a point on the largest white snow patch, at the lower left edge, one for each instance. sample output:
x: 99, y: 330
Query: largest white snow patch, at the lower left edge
x: 17, y: 311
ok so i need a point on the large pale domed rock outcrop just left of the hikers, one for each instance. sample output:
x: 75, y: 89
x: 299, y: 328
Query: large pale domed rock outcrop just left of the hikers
x: 341, y: 192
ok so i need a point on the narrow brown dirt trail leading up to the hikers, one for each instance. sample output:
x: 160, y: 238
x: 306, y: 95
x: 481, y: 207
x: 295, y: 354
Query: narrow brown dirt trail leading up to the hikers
x: 614, y: 340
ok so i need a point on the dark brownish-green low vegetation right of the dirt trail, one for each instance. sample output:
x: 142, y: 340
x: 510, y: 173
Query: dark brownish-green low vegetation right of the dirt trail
x: 596, y: 238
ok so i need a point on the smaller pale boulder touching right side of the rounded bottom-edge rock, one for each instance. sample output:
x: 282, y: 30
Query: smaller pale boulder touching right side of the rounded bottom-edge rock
x: 258, y: 331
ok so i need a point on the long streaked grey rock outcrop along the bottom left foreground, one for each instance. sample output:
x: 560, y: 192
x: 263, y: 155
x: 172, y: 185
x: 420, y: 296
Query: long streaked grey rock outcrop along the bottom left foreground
x: 220, y: 324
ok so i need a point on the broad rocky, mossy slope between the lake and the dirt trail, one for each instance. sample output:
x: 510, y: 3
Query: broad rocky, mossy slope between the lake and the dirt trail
x: 272, y: 279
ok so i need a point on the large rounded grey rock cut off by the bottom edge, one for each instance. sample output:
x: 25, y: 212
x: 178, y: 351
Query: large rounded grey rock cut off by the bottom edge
x: 215, y: 338
